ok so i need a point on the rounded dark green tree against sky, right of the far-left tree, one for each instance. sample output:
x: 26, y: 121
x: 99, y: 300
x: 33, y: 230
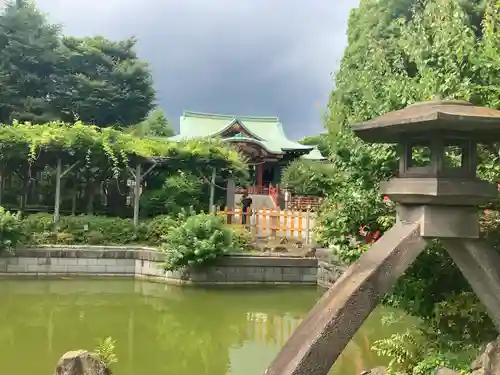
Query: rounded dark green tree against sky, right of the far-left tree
x: 105, y: 83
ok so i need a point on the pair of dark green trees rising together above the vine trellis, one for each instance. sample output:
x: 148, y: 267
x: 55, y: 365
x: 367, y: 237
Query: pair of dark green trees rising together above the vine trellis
x: 46, y: 76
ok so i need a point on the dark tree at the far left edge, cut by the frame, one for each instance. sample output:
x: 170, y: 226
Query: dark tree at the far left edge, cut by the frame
x: 30, y: 64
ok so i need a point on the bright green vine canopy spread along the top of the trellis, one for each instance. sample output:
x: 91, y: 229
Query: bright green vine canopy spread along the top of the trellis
x: 106, y: 149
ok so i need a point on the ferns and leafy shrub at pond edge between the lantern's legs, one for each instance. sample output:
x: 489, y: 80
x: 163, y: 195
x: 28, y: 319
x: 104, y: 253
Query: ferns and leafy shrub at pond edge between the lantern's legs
x: 421, y: 350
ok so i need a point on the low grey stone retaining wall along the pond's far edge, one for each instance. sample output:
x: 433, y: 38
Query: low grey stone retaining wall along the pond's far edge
x: 146, y: 263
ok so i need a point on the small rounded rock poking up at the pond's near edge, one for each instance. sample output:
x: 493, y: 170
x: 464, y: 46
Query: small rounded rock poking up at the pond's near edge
x: 81, y: 362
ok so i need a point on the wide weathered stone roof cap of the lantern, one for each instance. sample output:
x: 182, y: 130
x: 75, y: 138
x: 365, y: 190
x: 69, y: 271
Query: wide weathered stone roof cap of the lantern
x: 425, y: 118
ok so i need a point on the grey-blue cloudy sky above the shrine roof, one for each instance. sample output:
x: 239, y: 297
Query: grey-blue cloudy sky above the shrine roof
x: 246, y: 57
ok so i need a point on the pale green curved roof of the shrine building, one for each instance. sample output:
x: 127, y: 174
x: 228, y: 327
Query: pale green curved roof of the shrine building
x: 268, y: 132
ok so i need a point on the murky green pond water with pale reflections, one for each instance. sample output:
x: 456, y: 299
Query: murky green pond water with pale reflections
x: 162, y: 329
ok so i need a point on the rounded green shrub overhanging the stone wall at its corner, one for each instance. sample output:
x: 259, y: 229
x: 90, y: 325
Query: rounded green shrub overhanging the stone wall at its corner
x: 198, y: 240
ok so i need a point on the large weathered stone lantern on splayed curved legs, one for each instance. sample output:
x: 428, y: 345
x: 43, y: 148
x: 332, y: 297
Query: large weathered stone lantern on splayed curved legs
x: 437, y: 193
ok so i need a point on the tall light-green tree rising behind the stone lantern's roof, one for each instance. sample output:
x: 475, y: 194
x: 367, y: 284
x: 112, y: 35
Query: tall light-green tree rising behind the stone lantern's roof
x: 400, y: 52
